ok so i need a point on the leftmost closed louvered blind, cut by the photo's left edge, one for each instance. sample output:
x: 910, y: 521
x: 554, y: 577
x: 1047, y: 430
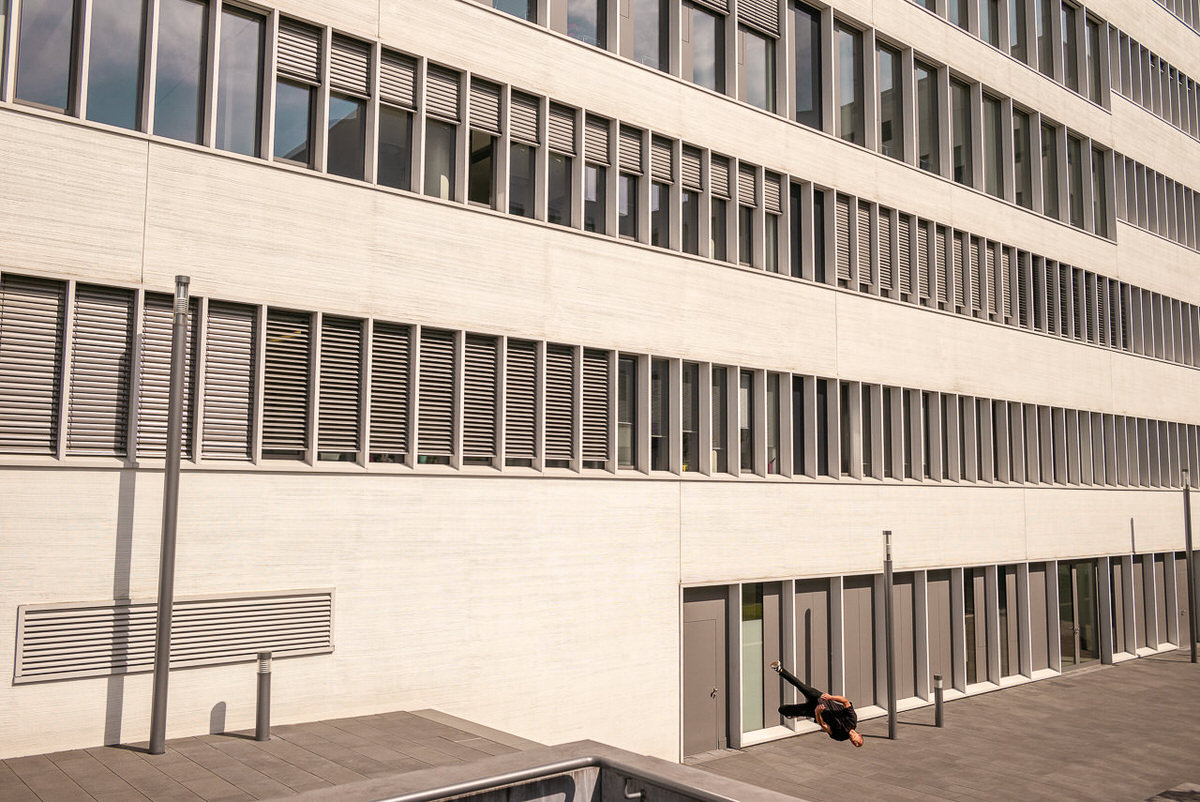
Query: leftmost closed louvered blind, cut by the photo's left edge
x: 32, y: 314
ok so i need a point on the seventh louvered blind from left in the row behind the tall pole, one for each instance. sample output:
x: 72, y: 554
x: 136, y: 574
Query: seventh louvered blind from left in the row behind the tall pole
x: 391, y: 356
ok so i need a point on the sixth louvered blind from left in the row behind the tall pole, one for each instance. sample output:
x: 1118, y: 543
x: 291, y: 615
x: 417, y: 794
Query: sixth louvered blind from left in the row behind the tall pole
x: 341, y: 388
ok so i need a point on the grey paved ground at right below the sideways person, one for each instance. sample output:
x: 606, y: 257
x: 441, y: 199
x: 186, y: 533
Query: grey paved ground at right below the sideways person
x: 1071, y: 738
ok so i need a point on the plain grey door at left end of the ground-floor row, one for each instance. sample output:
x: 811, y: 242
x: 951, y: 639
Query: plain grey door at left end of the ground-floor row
x: 704, y: 669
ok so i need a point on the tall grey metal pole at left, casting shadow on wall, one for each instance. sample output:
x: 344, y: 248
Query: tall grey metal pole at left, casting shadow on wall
x: 170, y: 518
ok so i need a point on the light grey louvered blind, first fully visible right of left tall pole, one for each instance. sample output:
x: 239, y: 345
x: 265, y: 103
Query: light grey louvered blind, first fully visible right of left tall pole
x: 230, y: 345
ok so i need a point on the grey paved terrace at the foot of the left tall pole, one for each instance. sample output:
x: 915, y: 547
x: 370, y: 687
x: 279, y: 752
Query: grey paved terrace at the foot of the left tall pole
x: 233, y: 767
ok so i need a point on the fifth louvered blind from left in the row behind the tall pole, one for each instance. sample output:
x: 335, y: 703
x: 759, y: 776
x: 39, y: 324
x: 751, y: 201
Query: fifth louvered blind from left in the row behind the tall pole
x: 286, y: 382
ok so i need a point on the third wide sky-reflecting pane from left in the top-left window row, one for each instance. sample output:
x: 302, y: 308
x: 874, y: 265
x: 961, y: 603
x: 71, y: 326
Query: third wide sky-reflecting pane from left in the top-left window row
x: 181, y: 73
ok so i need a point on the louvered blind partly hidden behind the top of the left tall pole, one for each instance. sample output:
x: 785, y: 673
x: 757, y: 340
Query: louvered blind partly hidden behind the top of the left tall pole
x: 154, y: 392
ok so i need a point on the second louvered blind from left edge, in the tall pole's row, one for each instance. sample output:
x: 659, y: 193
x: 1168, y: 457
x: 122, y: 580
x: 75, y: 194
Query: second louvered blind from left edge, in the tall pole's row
x: 98, y: 416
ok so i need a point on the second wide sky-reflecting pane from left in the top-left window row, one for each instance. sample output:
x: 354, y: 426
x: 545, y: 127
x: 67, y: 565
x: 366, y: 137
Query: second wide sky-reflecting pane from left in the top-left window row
x: 115, y: 65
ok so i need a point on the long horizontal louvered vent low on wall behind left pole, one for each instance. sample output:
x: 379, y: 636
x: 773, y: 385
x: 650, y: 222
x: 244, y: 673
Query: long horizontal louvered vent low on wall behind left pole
x: 76, y: 641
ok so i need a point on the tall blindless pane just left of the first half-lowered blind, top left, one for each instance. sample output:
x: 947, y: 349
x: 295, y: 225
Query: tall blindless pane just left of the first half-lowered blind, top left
x: 241, y: 82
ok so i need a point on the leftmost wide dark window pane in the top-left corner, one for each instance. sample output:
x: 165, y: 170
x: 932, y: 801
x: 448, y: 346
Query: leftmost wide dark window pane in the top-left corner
x: 46, y: 52
